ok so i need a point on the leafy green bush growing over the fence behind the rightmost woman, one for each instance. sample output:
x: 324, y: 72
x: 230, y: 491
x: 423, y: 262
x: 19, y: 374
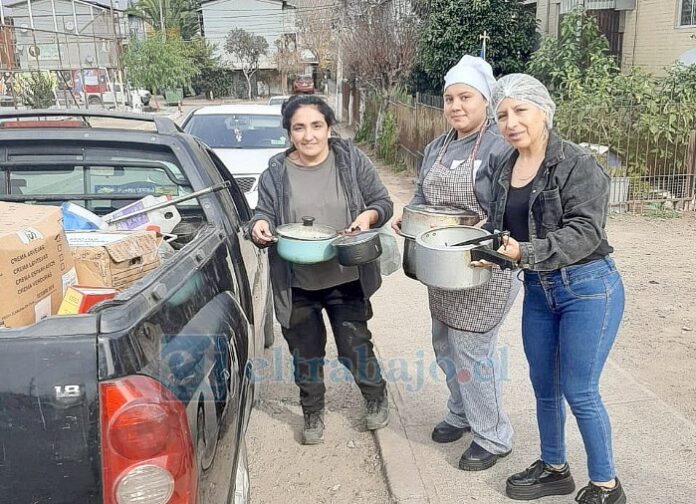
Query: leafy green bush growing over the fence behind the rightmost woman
x: 645, y: 120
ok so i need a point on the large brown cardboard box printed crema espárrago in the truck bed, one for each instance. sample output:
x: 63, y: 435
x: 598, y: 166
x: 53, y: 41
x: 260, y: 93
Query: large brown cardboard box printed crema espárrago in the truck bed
x: 36, y: 266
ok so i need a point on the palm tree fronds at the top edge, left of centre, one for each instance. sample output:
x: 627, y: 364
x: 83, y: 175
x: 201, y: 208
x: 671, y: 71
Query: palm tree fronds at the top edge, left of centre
x: 179, y: 16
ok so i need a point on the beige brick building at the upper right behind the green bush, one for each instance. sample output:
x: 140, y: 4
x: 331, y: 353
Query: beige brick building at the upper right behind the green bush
x: 651, y: 34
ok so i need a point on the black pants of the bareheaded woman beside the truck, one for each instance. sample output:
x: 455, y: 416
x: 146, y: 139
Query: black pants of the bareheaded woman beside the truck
x: 348, y: 312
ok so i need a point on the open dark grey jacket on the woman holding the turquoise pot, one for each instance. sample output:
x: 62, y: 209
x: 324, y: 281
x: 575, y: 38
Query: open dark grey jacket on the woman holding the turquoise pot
x: 364, y: 191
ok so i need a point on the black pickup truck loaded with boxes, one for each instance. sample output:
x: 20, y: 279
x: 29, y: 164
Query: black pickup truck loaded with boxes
x: 146, y: 398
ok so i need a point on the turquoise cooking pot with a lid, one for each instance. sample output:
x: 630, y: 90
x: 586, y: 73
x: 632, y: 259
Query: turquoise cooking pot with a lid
x: 306, y: 242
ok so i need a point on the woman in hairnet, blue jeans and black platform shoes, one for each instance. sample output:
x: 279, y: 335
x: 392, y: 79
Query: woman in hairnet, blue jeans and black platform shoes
x: 552, y: 196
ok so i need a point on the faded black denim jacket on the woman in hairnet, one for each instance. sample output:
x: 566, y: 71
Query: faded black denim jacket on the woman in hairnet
x: 568, y: 202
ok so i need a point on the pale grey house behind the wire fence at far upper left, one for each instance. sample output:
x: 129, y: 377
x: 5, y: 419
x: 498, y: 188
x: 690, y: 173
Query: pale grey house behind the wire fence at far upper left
x: 69, y: 34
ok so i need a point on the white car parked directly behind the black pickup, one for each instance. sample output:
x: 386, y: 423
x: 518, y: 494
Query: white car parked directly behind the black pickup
x: 244, y: 137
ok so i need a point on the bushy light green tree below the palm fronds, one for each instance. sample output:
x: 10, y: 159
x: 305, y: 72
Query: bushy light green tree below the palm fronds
x: 158, y: 62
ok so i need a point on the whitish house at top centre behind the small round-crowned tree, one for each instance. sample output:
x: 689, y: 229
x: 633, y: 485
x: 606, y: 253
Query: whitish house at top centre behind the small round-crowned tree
x: 271, y: 19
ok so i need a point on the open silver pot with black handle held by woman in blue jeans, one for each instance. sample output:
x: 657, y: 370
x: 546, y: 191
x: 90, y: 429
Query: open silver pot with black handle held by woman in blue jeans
x: 441, y: 264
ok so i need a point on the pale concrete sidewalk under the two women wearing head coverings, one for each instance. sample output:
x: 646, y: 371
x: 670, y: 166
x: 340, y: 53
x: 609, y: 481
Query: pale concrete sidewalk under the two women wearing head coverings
x: 655, y: 447
